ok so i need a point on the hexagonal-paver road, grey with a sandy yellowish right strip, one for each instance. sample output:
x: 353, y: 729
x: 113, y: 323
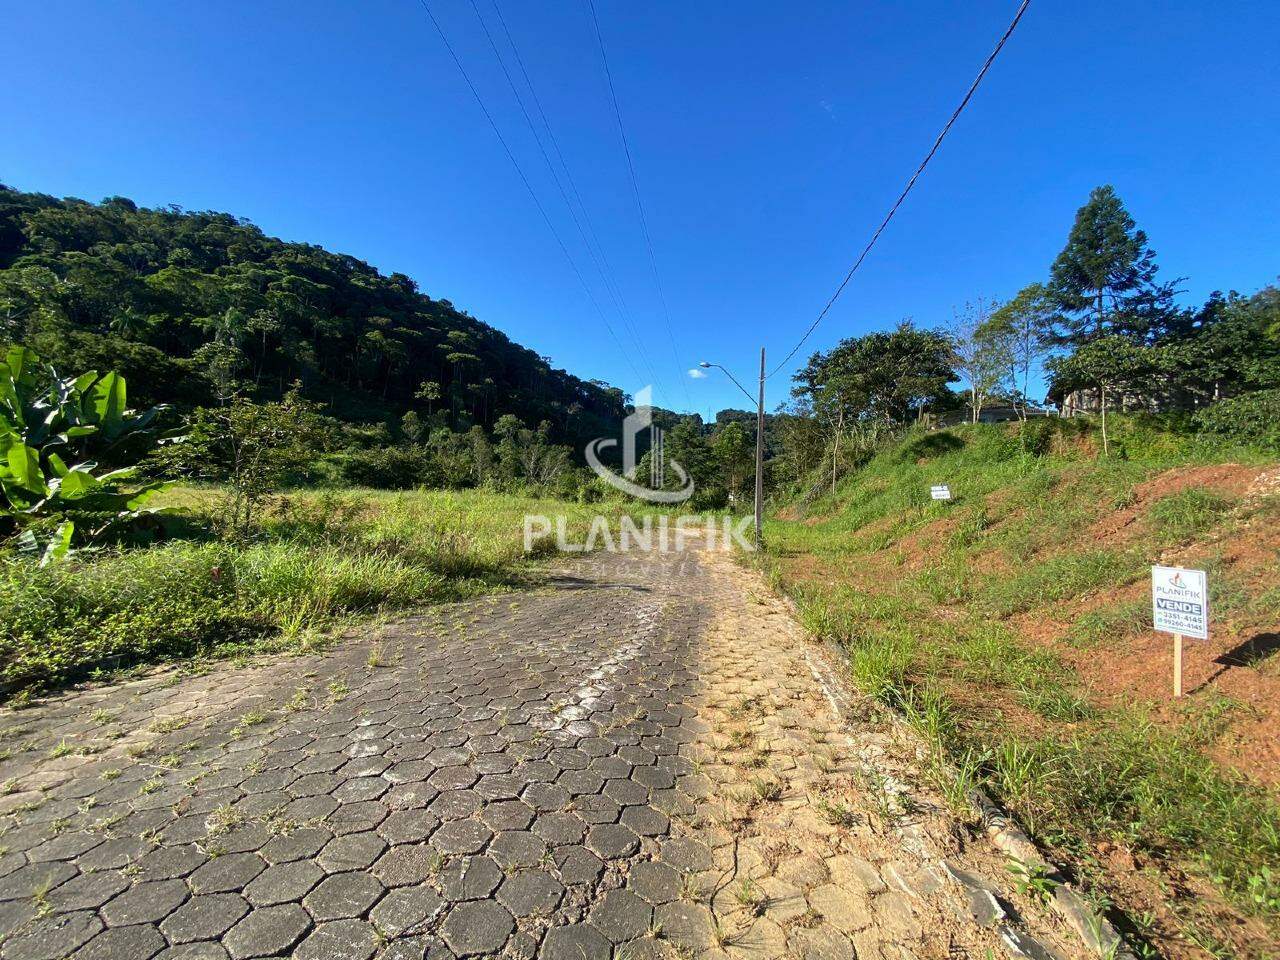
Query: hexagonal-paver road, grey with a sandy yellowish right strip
x: 633, y: 762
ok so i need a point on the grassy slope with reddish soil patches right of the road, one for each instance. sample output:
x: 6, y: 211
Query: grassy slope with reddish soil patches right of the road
x: 932, y: 604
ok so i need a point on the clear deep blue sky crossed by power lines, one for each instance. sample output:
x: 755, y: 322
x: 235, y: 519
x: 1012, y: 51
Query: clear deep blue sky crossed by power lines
x: 769, y: 140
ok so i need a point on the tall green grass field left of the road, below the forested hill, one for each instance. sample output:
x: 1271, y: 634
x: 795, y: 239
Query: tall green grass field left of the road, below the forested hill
x: 318, y: 560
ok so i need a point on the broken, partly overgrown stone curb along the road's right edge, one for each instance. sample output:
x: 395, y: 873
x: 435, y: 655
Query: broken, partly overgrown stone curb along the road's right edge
x: 1095, y: 931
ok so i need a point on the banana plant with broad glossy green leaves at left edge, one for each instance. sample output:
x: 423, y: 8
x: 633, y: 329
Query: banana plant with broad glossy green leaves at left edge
x: 43, y: 428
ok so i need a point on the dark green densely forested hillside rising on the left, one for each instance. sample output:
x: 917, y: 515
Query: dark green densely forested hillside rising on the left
x: 198, y: 308
